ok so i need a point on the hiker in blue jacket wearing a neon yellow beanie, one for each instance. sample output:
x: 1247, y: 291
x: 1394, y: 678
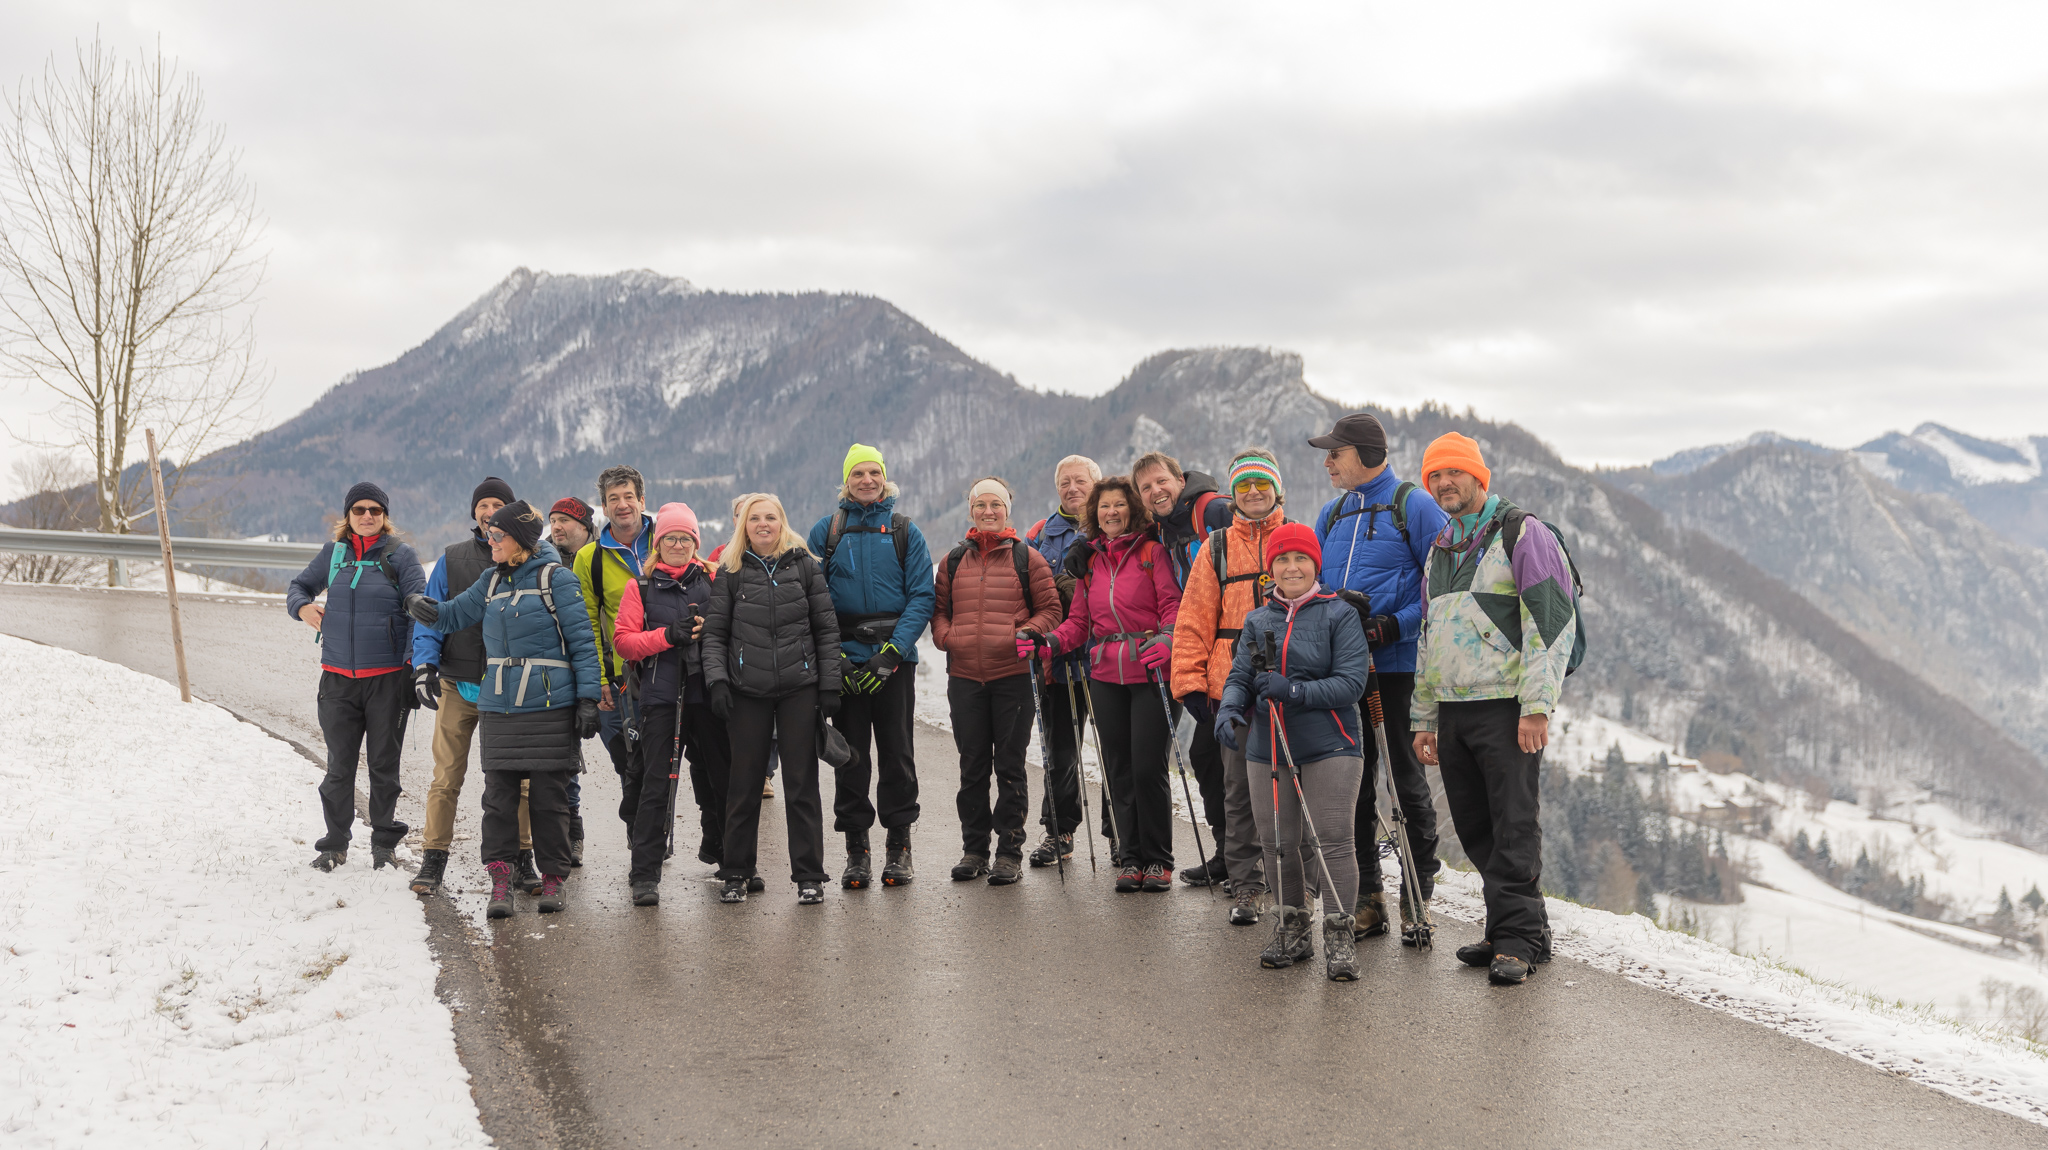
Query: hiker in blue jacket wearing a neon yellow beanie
x: 884, y: 596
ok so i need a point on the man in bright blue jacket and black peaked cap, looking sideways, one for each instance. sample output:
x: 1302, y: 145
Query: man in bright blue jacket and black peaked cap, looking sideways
x: 1377, y: 539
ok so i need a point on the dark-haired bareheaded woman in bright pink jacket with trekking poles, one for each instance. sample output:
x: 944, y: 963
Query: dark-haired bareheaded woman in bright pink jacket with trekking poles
x: 1123, y: 613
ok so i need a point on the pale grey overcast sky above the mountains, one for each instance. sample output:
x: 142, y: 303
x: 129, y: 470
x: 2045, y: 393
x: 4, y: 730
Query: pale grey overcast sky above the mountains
x: 1631, y: 228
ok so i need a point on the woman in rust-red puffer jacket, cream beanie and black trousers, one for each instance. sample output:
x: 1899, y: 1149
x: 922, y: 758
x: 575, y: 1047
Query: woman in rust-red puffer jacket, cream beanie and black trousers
x: 976, y: 623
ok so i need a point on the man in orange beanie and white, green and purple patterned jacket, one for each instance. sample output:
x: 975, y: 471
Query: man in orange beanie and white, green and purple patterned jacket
x: 1496, y: 646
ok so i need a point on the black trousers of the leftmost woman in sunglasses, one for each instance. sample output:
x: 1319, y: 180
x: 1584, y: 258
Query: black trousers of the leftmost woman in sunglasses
x: 355, y: 717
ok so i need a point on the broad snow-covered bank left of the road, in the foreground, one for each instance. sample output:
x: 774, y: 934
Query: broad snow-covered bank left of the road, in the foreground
x: 171, y: 971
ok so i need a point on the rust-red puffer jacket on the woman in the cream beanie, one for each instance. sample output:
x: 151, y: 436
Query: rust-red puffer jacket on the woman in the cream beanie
x: 982, y: 609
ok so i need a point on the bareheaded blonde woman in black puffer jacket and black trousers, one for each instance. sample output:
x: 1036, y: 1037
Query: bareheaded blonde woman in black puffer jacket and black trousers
x: 773, y: 670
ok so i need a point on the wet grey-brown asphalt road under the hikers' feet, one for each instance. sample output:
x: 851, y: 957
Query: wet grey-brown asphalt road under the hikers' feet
x: 1029, y: 1016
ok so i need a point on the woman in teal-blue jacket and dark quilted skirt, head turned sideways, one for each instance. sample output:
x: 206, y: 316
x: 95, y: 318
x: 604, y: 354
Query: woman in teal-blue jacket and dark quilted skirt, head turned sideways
x: 540, y: 695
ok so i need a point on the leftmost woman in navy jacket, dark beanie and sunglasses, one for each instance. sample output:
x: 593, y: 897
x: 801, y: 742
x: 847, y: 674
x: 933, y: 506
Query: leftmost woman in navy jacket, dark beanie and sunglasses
x: 364, y: 652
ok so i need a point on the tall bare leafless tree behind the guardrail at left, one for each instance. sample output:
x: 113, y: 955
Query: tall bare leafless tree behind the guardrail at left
x: 128, y: 267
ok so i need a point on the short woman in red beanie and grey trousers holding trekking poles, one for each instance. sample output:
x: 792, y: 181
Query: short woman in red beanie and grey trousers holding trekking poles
x: 1304, y: 654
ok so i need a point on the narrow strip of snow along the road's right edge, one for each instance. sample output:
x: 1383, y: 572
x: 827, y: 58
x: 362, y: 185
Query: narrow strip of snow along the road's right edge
x: 1977, y: 1065
